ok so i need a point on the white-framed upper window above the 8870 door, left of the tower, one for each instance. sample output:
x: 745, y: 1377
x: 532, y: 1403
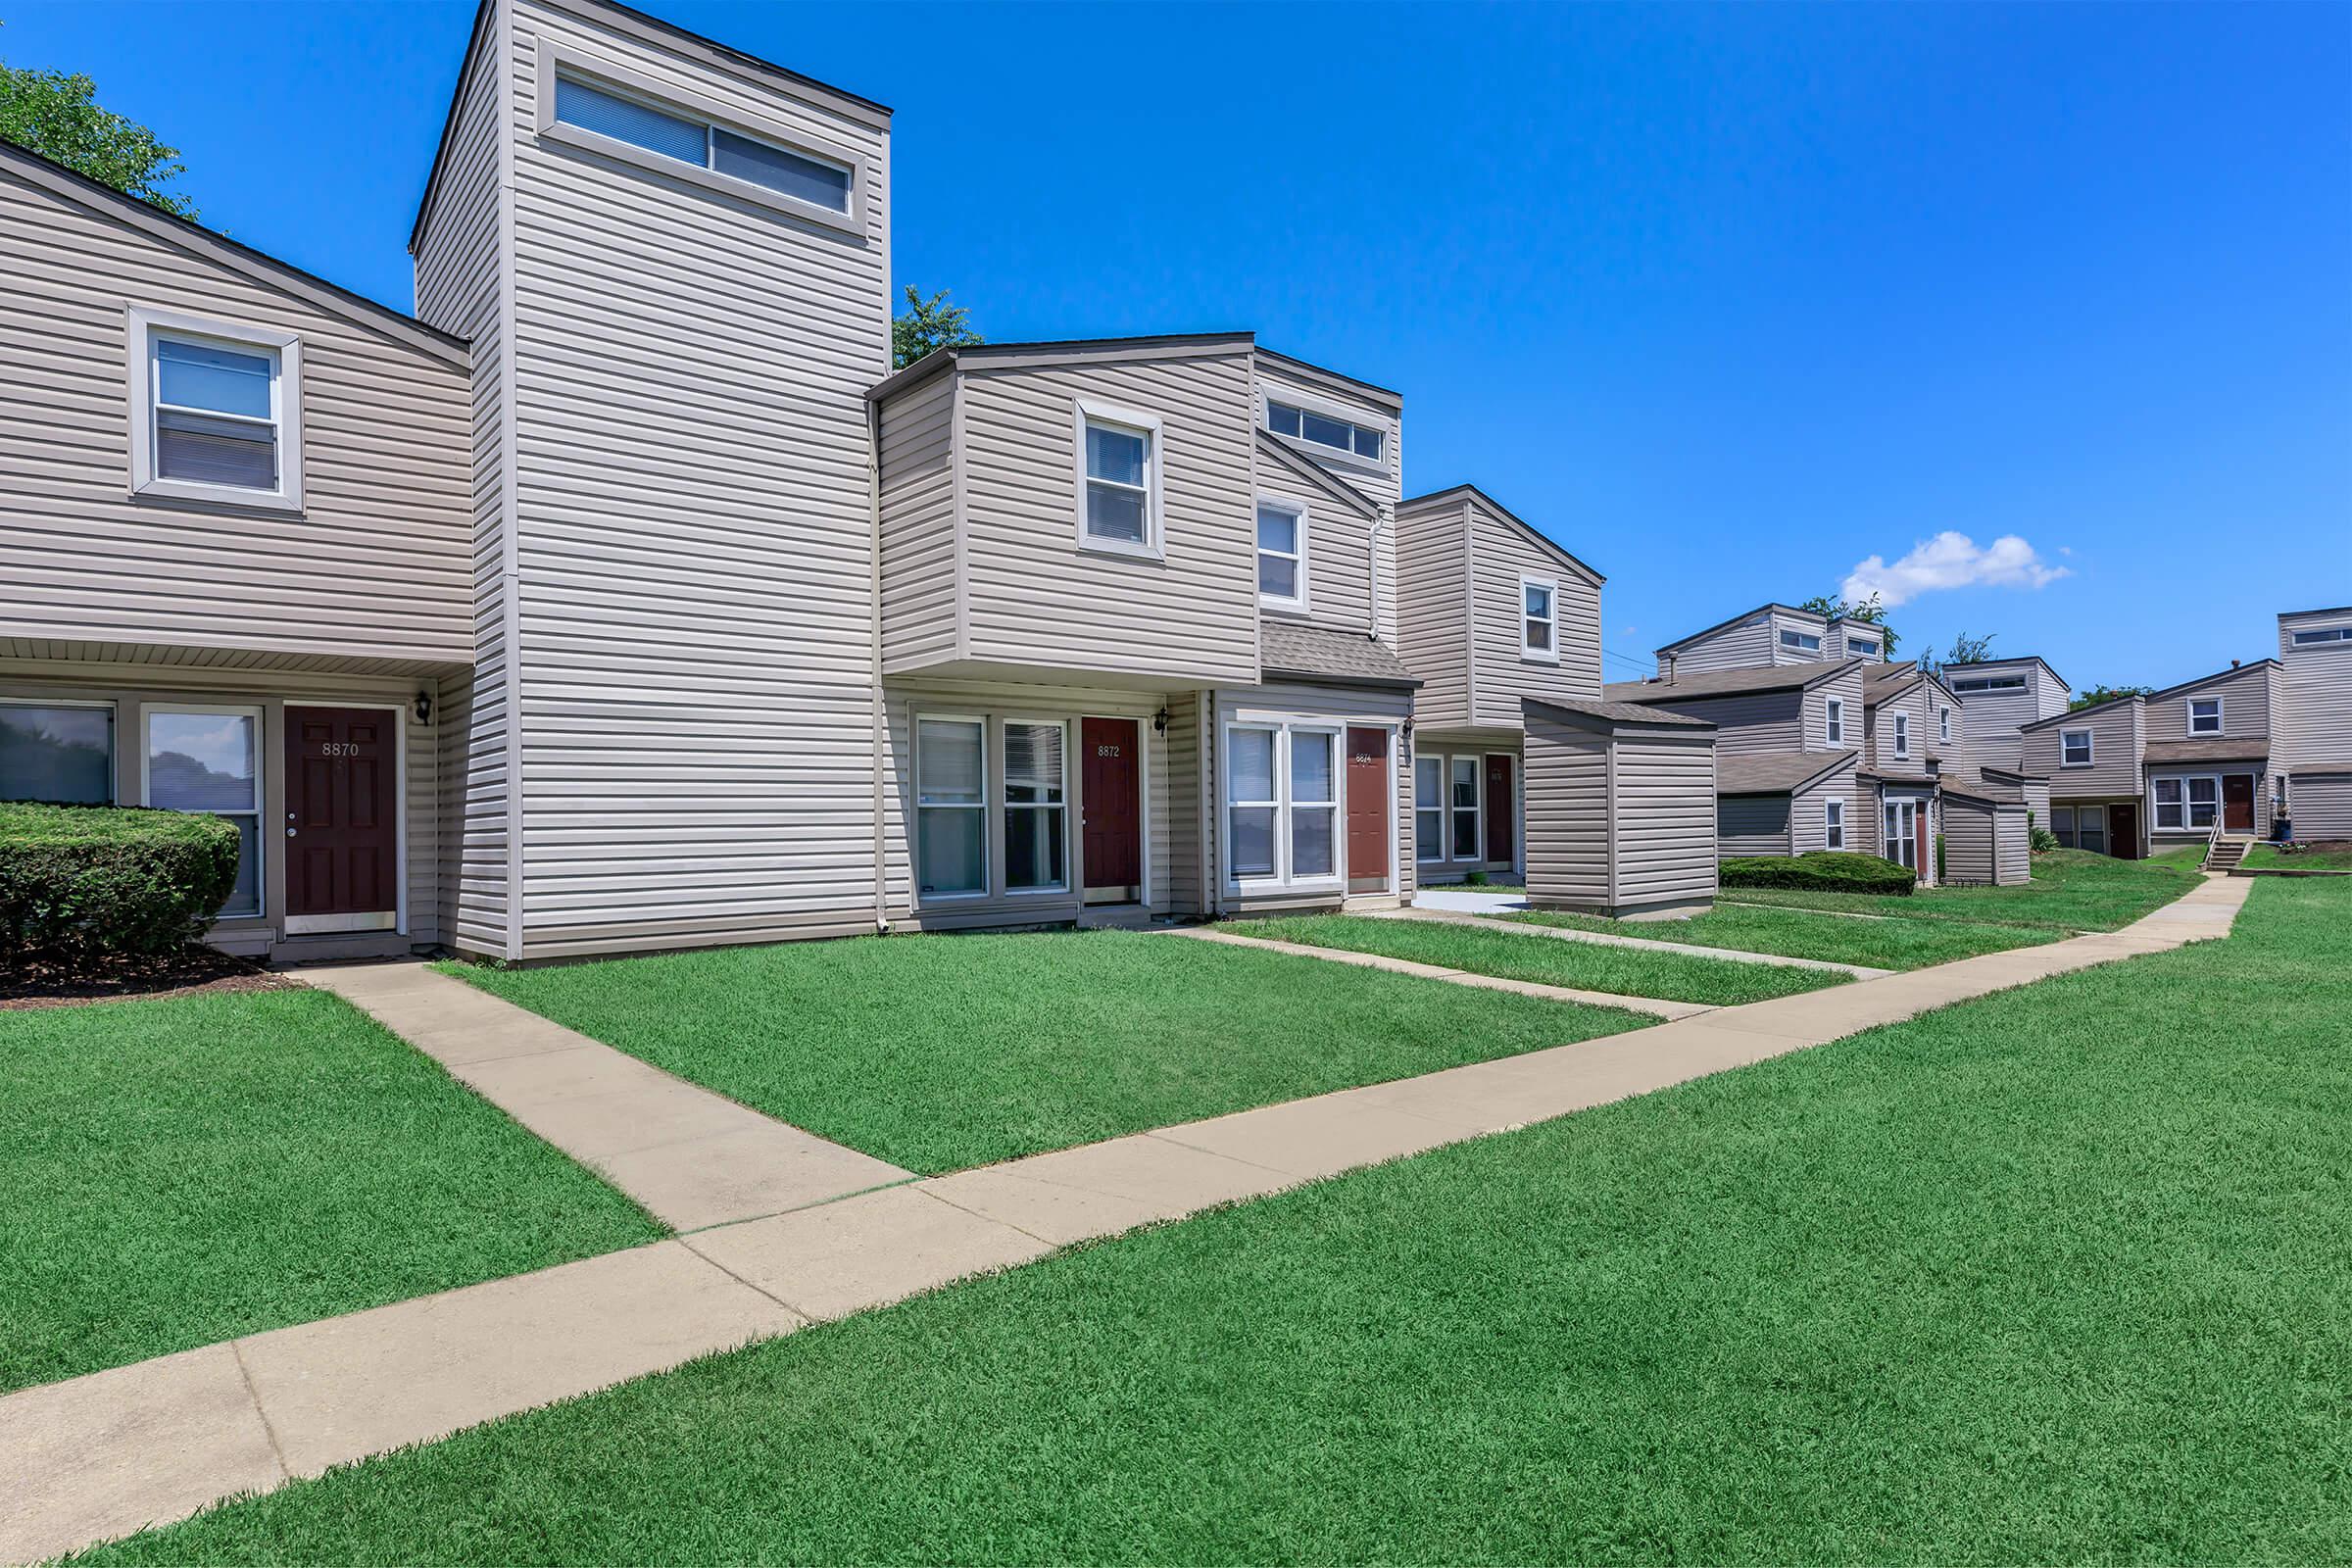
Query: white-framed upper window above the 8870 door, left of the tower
x: 215, y: 413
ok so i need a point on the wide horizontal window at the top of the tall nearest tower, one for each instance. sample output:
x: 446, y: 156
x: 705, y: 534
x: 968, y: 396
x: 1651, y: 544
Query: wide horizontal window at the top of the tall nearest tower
x: 624, y: 116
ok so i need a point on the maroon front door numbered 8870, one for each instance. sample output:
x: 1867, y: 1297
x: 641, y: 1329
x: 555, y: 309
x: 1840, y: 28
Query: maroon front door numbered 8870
x: 342, y: 819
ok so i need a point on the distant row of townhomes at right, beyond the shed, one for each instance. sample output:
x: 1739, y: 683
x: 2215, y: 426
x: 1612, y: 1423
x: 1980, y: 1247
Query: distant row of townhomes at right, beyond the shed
x: 1826, y: 744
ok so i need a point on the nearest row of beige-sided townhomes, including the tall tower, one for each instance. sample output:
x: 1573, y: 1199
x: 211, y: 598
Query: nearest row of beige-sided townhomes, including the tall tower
x: 622, y: 596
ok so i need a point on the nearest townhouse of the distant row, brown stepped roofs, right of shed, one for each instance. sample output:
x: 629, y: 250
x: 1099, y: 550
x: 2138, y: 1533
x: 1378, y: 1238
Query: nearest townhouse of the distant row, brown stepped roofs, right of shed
x: 1789, y: 739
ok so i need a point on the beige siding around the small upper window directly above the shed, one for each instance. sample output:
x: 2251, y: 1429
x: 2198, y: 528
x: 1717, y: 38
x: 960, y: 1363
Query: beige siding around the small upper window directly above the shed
x: 1502, y: 676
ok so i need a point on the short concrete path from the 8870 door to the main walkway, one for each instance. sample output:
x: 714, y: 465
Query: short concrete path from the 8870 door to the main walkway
x: 686, y: 1155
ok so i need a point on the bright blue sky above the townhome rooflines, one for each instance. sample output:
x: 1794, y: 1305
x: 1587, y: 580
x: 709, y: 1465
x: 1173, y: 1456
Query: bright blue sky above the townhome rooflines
x: 1725, y: 300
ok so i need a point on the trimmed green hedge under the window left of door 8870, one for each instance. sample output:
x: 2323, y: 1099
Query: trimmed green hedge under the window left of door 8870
x: 95, y: 880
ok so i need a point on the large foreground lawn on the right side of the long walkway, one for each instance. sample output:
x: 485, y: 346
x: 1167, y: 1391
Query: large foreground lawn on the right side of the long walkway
x: 2059, y: 1275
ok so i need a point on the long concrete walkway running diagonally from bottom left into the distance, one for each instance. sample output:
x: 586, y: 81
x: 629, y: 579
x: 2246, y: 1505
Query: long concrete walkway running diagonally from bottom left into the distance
x: 116, y: 1452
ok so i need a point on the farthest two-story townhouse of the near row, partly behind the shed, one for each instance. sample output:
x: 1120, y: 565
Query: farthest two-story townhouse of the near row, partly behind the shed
x: 1490, y: 615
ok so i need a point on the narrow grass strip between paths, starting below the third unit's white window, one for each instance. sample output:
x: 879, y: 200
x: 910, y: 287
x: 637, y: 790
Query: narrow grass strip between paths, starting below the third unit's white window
x: 1624, y: 972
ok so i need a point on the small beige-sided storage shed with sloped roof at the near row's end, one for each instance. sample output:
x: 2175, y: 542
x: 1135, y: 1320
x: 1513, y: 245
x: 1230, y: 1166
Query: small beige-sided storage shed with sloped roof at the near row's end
x: 1619, y: 810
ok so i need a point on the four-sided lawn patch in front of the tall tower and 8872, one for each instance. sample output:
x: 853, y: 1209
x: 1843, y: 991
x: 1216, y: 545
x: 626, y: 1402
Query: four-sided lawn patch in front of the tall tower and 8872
x: 947, y: 1052
